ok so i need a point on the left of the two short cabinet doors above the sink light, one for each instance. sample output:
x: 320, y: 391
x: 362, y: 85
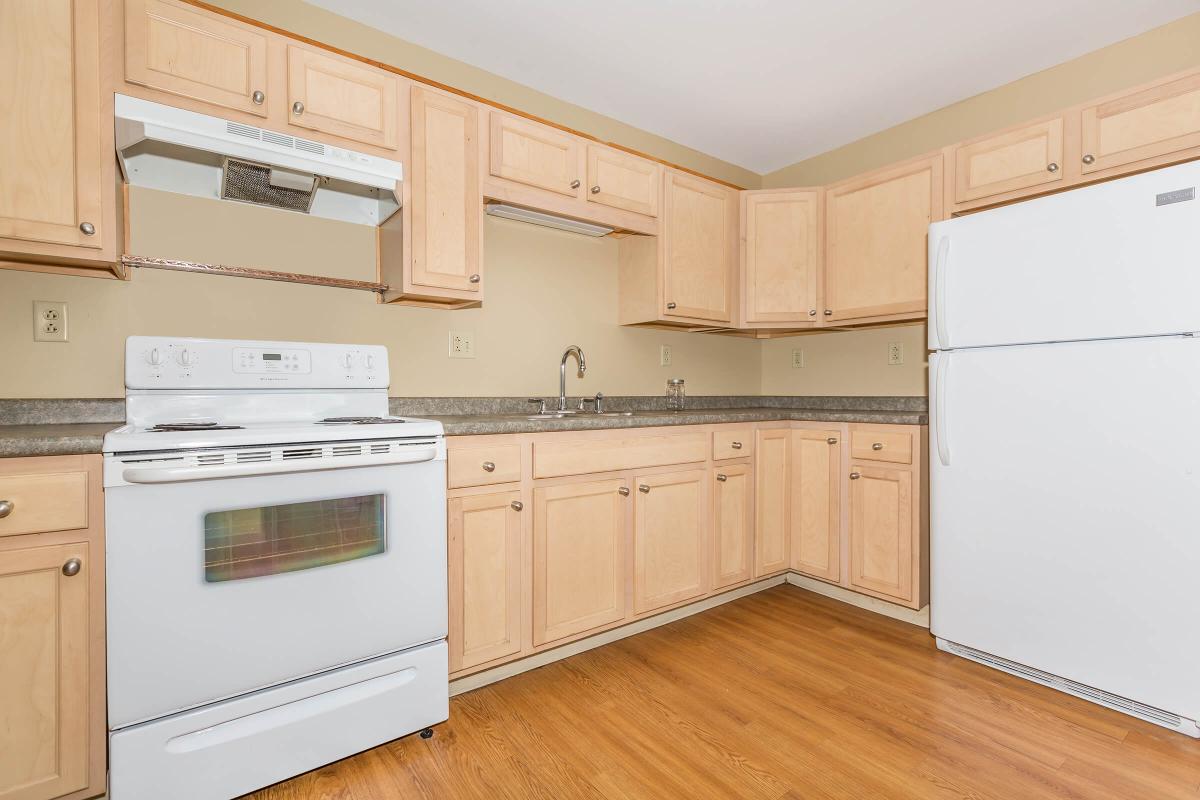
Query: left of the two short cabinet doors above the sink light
x: 536, y: 155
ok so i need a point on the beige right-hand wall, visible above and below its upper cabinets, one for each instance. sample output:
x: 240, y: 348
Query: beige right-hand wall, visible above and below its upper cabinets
x: 856, y: 363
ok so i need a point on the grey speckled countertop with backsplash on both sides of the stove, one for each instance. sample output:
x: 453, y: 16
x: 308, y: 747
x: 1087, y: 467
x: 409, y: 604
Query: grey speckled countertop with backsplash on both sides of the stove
x: 64, y: 428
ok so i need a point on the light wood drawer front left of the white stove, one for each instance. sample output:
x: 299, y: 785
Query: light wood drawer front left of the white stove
x: 46, y: 502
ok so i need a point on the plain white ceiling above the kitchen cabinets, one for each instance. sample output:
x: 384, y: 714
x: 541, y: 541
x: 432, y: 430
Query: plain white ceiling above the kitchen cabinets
x: 763, y: 83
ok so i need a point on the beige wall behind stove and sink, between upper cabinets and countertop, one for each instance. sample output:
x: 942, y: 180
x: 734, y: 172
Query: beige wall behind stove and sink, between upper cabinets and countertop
x: 545, y: 290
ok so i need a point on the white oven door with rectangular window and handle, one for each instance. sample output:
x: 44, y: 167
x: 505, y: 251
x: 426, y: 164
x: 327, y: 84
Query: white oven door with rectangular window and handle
x: 225, y: 580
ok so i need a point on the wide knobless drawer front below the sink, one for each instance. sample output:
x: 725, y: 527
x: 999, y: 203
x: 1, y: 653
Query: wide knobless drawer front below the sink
x: 580, y: 458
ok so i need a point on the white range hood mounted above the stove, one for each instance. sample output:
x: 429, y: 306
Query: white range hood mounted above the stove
x: 176, y: 151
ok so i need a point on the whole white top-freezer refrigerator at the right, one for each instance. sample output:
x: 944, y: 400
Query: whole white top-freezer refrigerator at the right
x: 1065, y: 438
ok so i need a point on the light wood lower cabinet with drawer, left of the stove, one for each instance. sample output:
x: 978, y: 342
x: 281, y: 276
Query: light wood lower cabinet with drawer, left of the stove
x: 52, y: 635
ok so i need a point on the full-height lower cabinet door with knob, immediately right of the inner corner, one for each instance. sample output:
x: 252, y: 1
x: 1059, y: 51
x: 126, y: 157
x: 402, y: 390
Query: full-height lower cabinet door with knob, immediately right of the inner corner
x: 817, y: 497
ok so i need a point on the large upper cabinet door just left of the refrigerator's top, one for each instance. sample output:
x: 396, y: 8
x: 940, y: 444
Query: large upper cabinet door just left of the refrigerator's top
x: 877, y: 231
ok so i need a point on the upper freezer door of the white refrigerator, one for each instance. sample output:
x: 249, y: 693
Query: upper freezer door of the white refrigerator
x: 1111, y: 261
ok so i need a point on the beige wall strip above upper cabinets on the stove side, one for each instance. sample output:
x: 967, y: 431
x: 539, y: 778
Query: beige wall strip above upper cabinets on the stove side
x: 326, y: 27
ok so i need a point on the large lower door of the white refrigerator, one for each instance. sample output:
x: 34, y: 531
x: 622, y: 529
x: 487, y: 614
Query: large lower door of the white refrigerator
x: 1066, y: 512
